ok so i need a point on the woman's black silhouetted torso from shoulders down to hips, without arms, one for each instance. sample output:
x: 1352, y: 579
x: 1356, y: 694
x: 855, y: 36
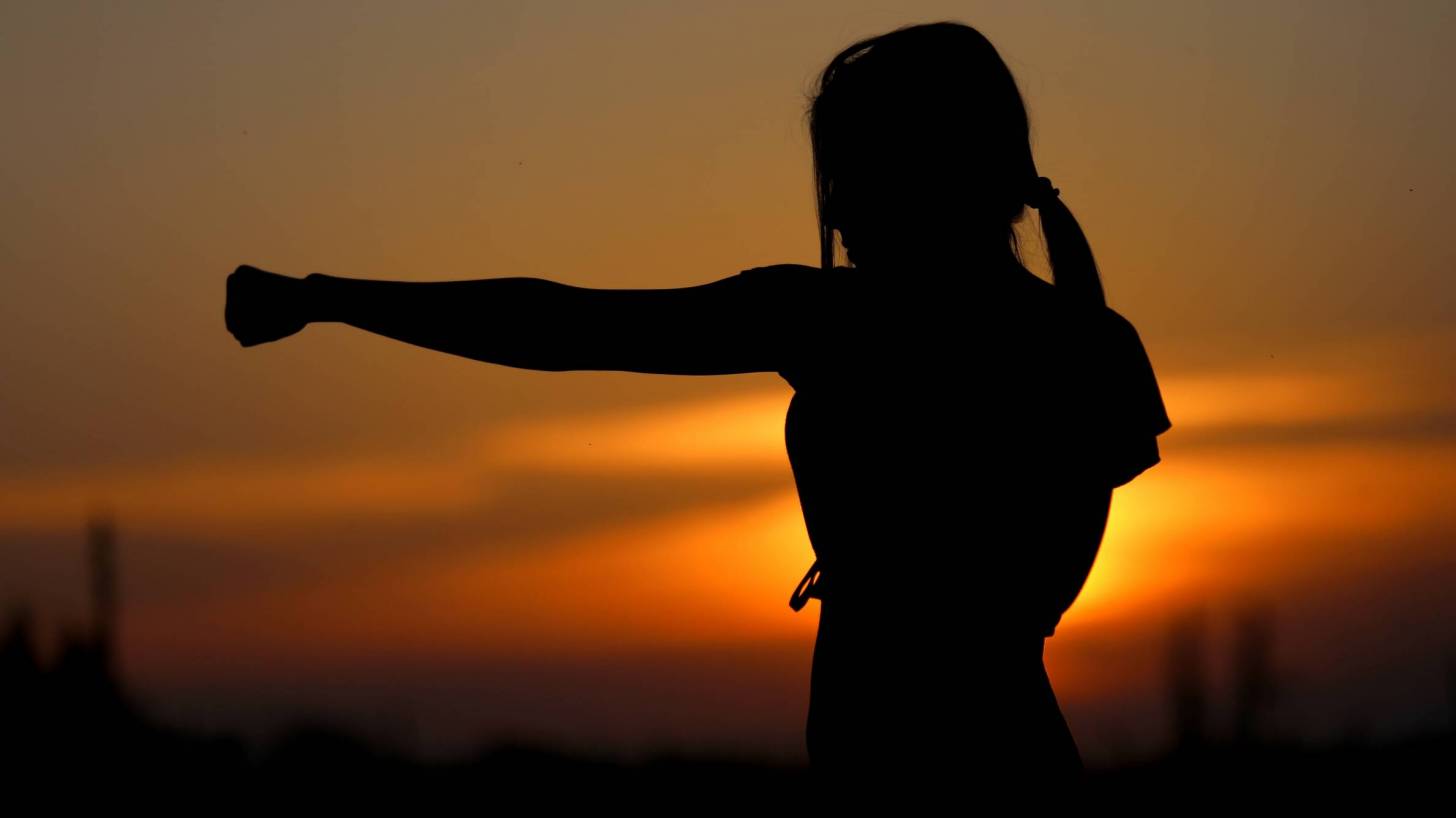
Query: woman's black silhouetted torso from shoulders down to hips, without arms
x: 924, y: 439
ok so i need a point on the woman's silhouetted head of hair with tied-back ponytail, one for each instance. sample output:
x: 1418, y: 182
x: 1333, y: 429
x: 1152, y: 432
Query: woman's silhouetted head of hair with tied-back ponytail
x: 922, y: 132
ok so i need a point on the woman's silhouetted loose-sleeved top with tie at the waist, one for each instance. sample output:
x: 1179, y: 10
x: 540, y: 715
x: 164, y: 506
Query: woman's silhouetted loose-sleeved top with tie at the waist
x: 940, y: 426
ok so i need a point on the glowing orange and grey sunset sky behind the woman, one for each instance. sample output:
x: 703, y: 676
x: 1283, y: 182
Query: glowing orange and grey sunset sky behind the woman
x: 443, y: 551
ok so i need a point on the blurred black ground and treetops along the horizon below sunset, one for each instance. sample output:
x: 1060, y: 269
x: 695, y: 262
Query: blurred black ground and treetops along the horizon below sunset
x: 75, y: 721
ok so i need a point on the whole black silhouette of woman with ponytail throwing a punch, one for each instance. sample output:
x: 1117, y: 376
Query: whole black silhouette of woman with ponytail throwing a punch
x: 957, y: 427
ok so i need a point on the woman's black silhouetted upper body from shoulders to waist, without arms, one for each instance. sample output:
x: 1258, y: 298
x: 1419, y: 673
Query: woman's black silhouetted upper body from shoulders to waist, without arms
x: 930, y: 443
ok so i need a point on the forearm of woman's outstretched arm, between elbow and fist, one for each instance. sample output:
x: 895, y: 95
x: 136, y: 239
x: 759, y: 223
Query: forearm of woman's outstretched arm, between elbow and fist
x: 503, y: 321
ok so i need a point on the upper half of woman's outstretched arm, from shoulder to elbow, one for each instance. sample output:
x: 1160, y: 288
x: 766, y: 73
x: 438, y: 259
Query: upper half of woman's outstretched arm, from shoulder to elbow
x: 740, y: 324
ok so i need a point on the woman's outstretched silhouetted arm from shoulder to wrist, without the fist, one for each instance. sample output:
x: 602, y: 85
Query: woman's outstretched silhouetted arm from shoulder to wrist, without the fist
x: 717, y: 328
